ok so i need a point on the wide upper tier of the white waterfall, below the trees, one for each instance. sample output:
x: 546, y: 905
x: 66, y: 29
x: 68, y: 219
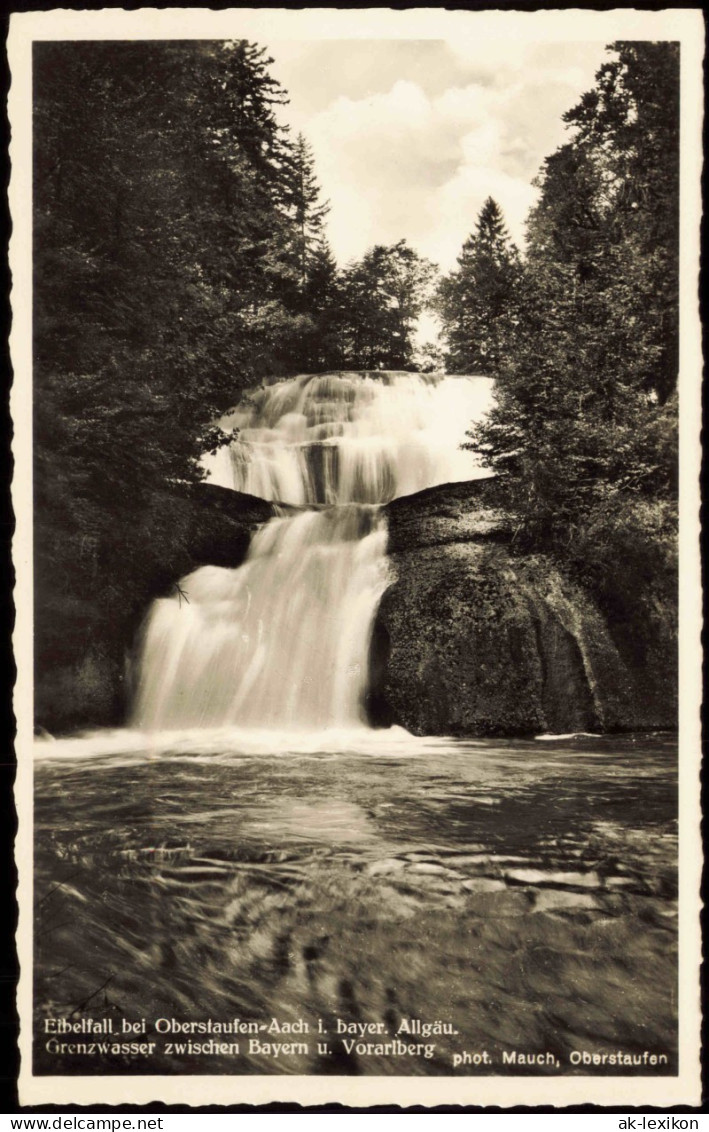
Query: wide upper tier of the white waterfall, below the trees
x: 346, y: 438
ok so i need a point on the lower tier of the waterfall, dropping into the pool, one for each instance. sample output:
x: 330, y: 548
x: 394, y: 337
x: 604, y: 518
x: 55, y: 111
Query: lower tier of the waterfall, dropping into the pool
x: 281, y: 642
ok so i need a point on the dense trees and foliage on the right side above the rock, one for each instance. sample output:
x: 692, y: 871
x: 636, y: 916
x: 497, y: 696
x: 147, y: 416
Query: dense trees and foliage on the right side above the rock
x: 583, y: 337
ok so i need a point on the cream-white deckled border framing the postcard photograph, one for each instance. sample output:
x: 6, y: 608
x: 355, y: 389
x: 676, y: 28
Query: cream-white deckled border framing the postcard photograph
x: 684, y: 25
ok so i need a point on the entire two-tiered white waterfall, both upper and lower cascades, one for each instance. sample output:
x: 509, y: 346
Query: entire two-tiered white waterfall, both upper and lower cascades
x: 284, y: 640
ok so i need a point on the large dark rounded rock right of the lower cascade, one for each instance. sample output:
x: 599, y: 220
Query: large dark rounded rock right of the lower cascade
x: 474, y: 640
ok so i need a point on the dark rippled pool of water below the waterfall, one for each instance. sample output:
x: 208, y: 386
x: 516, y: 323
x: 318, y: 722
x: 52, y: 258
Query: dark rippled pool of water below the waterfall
x: 523, y: 894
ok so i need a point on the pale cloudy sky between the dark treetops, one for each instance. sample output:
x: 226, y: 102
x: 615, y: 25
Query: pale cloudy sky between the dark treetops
x: 411, y: 136
